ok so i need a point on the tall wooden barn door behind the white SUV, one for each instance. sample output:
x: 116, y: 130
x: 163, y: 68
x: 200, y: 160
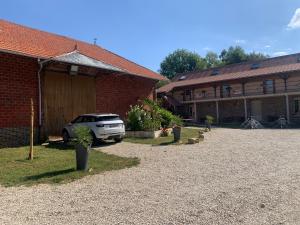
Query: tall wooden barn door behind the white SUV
x: 66, y: 97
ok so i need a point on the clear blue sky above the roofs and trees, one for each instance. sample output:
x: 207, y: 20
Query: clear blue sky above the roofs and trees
x: 145, y: 31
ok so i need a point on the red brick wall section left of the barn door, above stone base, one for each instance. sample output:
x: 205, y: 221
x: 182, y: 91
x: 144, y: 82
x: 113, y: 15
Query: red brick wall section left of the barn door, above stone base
x: 18, y: 83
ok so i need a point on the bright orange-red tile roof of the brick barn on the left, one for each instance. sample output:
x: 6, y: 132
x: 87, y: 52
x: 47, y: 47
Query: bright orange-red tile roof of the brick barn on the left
x: 36, y: 43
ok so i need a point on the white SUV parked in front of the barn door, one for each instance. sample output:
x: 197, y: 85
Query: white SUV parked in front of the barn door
x: 103, y: 127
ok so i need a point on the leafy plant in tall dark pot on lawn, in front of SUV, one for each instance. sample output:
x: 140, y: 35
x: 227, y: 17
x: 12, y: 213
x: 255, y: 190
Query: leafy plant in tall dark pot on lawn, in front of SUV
x: 83, y: 142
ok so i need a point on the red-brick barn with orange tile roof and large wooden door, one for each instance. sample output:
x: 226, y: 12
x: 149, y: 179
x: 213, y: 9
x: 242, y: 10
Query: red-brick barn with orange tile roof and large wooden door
x: 64, y: 77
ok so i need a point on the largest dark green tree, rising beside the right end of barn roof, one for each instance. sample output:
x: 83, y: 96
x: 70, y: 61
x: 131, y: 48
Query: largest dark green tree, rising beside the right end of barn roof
x: 181, y: 61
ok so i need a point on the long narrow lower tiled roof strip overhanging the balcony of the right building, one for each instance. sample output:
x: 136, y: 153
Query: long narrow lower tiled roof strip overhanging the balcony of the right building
x: 232, y: 76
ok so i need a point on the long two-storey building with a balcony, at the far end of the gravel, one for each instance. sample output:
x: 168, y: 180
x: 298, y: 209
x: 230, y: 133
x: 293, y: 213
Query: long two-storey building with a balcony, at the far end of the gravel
x: 265, y: 90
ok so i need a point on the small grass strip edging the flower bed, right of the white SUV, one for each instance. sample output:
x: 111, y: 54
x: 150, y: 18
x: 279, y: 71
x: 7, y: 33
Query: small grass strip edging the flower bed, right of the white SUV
x: 185, y: 134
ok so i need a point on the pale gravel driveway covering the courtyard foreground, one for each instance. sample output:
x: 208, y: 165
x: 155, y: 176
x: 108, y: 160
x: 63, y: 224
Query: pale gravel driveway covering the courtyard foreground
x: 233, y: 177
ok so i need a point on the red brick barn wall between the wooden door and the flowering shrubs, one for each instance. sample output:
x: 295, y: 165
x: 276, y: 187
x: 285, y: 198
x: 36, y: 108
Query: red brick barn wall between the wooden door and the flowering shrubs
x: 115, y: 93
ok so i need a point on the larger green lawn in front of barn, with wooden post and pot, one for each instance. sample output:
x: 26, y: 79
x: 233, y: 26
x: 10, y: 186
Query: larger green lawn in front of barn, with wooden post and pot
x: 53, y: 164
